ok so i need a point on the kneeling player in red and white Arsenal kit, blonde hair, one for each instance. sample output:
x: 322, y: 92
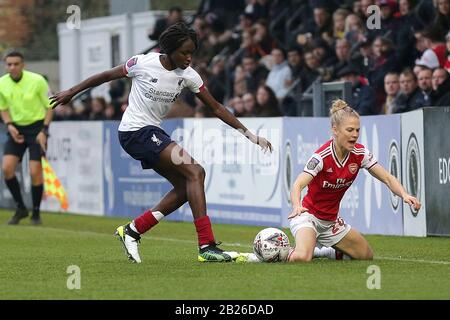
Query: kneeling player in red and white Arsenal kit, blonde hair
x: 328, y: 174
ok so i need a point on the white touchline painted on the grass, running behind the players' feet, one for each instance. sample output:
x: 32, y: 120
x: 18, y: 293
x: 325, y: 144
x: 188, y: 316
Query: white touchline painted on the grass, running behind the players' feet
x: 234, y: 244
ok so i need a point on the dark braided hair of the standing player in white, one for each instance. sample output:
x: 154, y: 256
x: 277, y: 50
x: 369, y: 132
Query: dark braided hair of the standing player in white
x: 173, y: 37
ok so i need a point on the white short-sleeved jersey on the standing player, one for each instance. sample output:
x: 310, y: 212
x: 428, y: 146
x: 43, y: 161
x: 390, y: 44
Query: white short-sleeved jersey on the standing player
x: 153, y: 91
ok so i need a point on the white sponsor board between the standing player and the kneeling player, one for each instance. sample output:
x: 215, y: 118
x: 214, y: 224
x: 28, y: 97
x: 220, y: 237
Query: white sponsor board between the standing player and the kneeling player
x: 240, y: 177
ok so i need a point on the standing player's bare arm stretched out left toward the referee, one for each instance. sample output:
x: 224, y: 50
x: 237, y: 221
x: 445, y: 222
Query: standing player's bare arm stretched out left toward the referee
x: 64, y: 97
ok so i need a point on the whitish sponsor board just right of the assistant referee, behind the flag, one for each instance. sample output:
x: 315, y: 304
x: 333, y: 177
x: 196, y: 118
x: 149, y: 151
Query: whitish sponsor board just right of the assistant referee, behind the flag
x: 75, y: 154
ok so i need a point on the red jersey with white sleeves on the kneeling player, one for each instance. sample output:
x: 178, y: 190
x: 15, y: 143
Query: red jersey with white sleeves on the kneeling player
x: 332, y: 178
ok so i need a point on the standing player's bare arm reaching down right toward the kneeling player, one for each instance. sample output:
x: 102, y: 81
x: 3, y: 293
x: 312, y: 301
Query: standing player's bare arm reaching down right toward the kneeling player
x: 226, y: 116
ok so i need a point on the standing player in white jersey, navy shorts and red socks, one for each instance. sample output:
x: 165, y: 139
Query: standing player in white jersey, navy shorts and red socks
x: 157, y: 80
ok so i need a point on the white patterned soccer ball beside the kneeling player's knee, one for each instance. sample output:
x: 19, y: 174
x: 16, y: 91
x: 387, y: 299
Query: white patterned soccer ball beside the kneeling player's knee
x: 271, y: 245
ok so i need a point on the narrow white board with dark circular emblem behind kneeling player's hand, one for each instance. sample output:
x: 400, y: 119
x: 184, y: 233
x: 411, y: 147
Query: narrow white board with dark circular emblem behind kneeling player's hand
x: 413, y: 172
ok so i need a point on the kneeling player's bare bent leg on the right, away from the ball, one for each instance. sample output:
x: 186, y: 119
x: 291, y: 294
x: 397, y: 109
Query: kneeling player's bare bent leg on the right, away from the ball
x: 355, y: 245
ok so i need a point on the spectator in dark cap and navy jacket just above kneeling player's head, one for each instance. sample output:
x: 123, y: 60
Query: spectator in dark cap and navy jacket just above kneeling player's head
x: 363, y: 96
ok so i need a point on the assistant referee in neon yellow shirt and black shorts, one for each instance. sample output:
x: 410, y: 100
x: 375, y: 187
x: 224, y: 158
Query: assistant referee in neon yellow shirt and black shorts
x: 26, y: 111
